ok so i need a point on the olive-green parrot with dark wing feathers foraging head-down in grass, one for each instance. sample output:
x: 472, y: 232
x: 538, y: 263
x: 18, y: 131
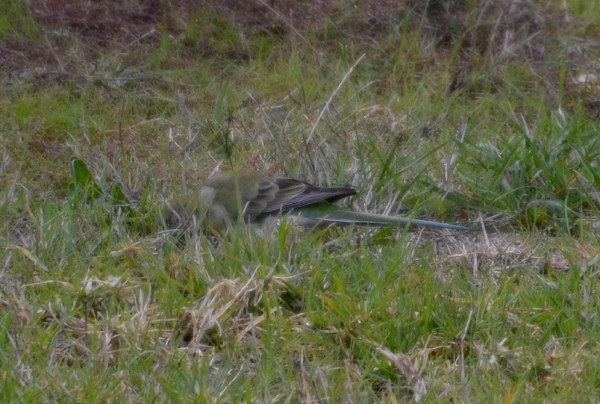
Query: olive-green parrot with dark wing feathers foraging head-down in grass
x: 253, y: 196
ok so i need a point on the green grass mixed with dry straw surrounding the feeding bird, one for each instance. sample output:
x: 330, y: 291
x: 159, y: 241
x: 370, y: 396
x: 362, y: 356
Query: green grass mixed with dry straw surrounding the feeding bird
x: 96, y: 305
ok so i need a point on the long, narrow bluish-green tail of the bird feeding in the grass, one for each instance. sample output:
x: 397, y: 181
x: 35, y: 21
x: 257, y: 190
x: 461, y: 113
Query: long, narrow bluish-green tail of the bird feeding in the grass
x: 323, y: 215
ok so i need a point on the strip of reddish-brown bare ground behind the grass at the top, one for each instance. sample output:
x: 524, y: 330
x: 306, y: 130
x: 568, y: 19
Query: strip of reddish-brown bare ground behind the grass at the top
x: 516, y: 28
